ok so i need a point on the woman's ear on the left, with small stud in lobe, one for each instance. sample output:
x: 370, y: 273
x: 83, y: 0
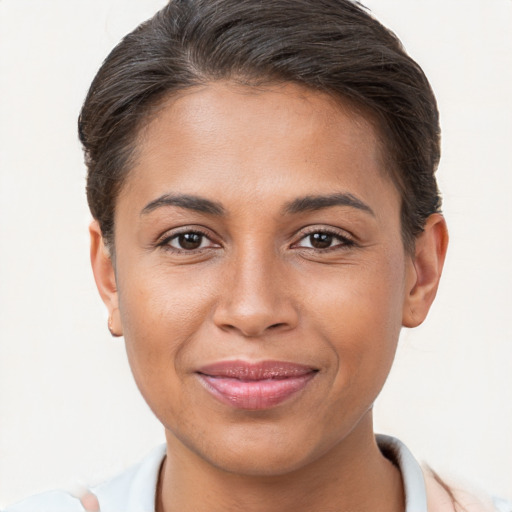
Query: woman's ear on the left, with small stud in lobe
x: 104, y: 275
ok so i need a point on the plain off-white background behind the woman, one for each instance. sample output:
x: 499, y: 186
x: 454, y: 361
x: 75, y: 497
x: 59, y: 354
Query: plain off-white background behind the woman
x: 68, y: 407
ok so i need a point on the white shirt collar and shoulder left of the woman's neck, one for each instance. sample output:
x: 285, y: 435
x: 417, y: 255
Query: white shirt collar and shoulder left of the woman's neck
x: 133, y: 490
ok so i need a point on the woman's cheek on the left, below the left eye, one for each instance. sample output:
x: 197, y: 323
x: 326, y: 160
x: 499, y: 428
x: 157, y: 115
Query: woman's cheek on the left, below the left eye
x: 162, y: 312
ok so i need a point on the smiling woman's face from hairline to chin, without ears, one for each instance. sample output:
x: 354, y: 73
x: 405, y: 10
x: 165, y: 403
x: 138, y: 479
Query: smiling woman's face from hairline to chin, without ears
x: 261, y: 276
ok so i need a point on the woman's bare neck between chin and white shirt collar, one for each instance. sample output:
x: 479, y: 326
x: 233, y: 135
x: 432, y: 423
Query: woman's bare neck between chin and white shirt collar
x: 353, y: 475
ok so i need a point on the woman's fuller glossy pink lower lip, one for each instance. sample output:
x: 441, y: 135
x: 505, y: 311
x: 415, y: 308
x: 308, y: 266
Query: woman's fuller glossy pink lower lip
x: 255, y: 394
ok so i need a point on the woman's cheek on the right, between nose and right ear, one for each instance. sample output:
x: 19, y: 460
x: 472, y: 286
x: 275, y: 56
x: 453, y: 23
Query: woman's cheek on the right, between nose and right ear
x: 358, y: 312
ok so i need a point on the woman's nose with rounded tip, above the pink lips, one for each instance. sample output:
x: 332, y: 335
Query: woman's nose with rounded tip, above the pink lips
x: 256, y: 297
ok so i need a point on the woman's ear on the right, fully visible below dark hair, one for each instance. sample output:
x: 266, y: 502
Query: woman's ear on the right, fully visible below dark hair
x: 424, y: 271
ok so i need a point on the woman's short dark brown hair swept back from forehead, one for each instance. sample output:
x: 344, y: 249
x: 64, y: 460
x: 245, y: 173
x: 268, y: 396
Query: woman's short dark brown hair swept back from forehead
x: 332, y: 46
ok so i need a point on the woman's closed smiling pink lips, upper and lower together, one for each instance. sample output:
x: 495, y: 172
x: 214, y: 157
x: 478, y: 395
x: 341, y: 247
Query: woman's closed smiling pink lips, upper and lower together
x: 255, y: 386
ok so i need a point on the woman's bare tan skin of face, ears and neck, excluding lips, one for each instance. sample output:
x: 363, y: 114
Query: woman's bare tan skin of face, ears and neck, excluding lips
x: 257, y: 289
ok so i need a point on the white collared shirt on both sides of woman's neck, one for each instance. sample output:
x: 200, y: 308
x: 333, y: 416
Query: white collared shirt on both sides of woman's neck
x: 135, y: 489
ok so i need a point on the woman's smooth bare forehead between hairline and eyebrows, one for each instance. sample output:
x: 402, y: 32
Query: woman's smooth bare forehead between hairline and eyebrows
x: 222, y: 136
